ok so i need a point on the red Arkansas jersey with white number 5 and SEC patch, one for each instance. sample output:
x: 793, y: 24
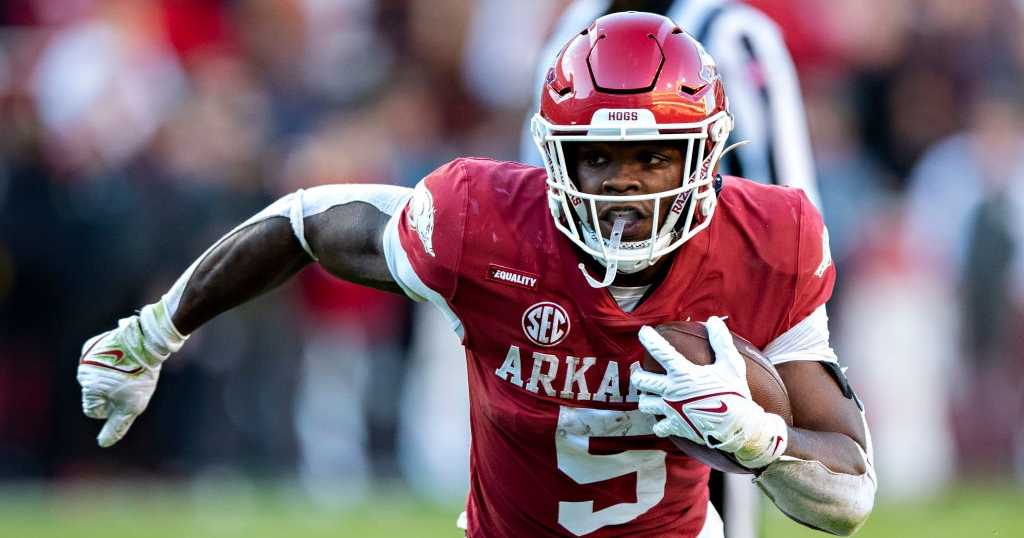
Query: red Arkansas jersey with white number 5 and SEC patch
x: 559, y: 445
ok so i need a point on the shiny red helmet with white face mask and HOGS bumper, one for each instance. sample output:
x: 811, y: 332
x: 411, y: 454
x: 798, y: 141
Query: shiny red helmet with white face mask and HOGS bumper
x: 633, y: 76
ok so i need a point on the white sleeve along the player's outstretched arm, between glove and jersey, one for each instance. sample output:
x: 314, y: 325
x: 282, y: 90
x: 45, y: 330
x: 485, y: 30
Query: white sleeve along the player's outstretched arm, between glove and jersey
x: 298, y: 205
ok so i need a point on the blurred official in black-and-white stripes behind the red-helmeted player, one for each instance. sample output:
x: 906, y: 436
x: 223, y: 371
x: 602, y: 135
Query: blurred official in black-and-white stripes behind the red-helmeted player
x: 764, y: 97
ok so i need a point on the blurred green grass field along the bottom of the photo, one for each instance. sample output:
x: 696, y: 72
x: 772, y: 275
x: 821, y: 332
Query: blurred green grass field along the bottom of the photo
x: 158, y: 511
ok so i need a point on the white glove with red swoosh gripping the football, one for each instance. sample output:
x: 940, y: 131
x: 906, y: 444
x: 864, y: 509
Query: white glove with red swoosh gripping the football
x: 710, y: 405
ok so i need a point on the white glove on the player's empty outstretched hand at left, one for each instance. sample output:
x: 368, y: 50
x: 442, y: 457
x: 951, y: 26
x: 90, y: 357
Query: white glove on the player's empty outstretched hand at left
x: 119, y: 369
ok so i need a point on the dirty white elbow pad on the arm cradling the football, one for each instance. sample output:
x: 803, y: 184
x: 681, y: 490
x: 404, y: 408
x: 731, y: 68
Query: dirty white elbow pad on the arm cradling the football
x: 818, y: 498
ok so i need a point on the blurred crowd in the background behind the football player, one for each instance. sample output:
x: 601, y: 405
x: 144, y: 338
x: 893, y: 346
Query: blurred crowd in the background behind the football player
x: 134, y: 134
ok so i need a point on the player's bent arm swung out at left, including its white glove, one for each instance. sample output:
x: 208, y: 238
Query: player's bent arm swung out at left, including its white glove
x: 339, y: 226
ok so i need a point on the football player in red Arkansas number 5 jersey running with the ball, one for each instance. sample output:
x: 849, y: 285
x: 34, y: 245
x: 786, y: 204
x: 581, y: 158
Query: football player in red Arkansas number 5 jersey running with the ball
x: 552, y: 278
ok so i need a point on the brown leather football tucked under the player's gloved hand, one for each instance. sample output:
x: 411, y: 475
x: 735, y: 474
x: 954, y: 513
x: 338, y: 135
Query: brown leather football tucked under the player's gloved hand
x: 767, y: 389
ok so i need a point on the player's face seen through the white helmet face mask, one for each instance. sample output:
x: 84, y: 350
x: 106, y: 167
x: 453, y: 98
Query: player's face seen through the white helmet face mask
x: 629, y: 169
